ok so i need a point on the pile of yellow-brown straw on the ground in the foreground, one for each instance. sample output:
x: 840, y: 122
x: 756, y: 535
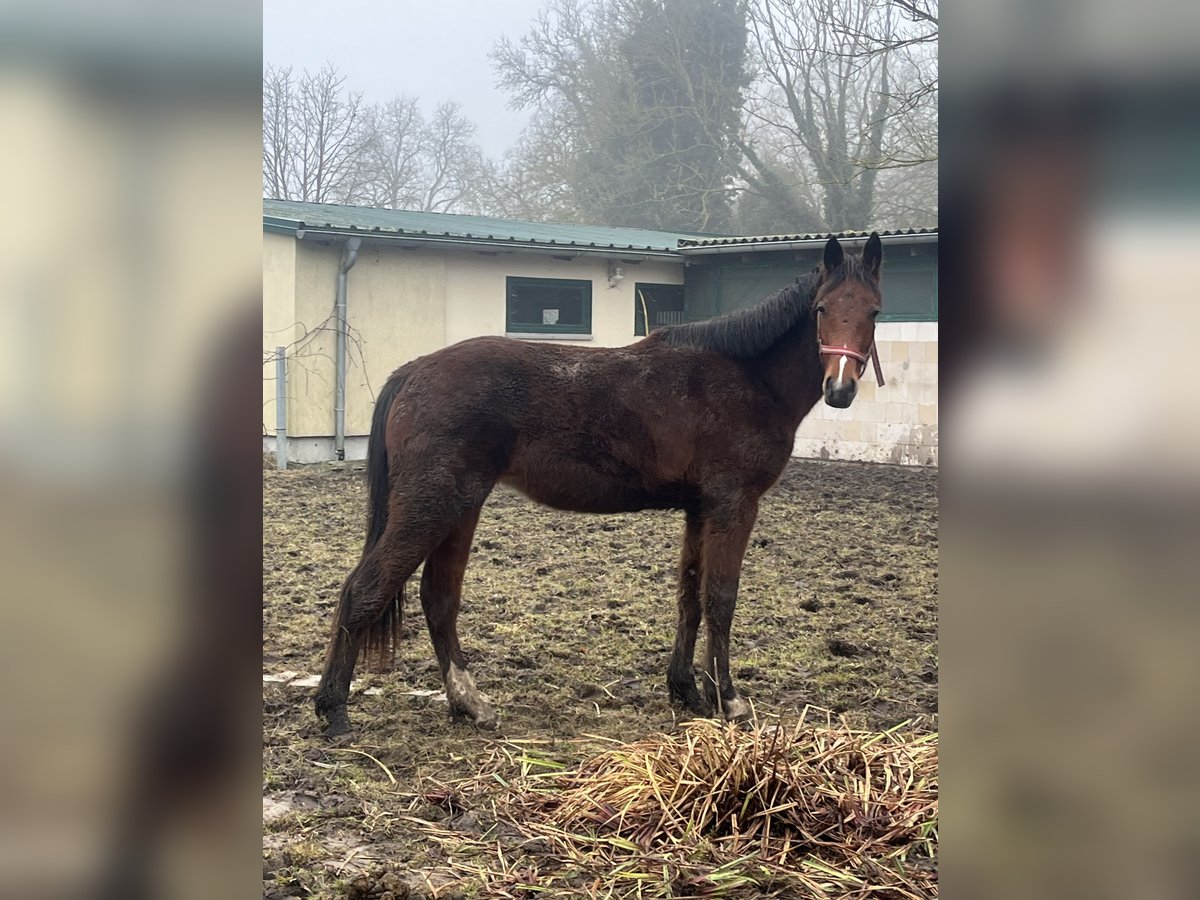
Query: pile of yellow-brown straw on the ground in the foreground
x: 814, y: 811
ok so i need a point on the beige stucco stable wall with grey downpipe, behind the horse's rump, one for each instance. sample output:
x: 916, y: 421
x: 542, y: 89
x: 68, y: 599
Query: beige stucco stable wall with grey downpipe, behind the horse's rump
x: 403, y: 304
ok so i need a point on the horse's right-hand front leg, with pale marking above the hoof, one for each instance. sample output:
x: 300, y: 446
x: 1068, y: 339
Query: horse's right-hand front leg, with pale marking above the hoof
x: 724, y: 538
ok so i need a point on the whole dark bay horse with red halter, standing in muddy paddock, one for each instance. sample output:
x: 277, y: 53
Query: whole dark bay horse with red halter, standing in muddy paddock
x: 700, y: 418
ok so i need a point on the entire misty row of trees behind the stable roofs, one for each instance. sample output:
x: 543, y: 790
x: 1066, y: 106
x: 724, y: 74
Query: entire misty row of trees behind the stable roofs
x: 659, y: 113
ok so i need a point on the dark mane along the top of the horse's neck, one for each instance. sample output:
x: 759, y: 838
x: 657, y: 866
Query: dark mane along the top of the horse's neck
x: 748, y: 333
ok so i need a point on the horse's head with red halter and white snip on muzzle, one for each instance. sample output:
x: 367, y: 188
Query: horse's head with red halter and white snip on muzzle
x: 847, y: 304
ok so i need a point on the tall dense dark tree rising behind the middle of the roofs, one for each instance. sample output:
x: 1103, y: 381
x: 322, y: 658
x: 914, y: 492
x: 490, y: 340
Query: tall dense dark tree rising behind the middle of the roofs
x: 641, y: 103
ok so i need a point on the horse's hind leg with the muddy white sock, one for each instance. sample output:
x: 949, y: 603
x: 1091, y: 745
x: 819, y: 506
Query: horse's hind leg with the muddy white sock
x: 441, y: 599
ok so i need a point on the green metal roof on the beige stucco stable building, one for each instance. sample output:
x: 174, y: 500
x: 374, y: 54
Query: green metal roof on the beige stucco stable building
x: 449, y: 229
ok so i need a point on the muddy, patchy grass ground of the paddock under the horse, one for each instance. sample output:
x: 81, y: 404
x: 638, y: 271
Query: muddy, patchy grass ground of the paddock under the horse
x: 568, y: 623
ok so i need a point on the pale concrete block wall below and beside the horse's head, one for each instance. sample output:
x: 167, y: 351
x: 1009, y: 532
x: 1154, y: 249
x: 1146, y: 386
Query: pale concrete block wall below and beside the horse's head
x: 897, y: 423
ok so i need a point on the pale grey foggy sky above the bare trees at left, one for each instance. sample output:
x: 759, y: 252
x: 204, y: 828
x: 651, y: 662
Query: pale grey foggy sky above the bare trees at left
x: 434, y: 50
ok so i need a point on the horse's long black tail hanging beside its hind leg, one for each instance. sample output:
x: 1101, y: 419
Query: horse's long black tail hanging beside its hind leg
x: 383, y: 635
